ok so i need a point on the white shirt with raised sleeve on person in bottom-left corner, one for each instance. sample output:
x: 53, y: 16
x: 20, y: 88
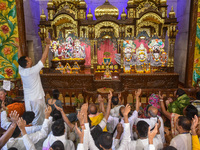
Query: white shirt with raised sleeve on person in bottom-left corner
x: 34, y: 137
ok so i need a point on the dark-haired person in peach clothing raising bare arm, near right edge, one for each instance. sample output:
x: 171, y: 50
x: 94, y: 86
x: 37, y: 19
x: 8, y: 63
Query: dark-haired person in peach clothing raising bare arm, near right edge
x: 189, y: 111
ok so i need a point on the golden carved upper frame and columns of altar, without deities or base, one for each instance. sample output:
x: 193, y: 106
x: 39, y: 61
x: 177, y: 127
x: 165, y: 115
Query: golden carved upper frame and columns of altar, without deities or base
x: 70, y: 16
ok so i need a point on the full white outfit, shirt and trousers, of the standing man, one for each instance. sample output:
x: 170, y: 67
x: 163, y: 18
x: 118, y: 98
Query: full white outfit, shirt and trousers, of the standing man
x: 33, y: 91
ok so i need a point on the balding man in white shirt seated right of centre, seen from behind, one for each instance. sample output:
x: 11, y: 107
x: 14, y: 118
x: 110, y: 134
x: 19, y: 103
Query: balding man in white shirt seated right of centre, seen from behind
x: 153, y: 119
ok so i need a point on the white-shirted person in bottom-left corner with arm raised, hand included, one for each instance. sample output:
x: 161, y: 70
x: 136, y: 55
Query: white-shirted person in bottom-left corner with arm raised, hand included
x: 17, y: 141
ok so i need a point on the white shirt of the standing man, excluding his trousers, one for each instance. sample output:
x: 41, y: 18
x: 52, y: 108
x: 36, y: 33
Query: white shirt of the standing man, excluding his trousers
x: 32, y: 85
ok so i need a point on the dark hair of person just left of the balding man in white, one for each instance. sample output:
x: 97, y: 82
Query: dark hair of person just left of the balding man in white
x: 142, y: 128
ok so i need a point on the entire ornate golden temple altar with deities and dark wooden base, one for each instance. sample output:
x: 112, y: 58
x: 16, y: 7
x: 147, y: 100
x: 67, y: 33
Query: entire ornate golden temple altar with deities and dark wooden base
x: 135, y: 51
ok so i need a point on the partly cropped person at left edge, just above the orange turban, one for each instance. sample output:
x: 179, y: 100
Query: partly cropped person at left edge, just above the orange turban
x: 4, y: 99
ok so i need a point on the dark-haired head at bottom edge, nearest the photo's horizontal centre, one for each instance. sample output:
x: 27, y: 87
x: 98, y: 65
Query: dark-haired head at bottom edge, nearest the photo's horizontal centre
x: 105, y: 140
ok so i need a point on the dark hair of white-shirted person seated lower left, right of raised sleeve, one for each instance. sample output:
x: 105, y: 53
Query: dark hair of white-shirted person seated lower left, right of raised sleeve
x: 58, y: 127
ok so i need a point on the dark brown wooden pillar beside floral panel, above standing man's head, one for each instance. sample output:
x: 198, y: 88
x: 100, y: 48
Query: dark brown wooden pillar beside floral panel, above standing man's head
x: 21, y: 26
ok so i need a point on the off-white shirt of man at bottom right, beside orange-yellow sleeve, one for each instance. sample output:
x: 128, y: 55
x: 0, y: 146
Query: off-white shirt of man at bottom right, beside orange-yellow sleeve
x: 182, y: 142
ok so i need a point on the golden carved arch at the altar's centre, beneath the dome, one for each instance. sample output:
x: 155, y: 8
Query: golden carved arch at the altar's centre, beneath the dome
x: 106, y: 24
